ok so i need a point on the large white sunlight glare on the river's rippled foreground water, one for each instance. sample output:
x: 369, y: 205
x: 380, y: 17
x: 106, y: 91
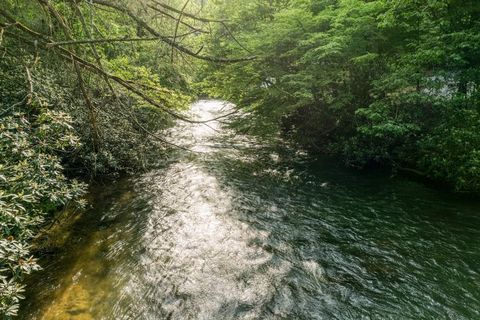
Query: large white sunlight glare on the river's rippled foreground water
x: 208, y: 252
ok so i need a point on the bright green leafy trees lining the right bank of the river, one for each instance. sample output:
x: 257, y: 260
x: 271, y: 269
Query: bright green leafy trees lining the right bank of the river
x: 376, y: 81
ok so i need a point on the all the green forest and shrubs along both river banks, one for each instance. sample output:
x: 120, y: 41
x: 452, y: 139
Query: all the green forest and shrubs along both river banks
x: 86, y: 87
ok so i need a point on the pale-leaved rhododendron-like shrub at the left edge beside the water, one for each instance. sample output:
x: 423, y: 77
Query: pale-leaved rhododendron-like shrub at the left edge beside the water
x: 32, y: 186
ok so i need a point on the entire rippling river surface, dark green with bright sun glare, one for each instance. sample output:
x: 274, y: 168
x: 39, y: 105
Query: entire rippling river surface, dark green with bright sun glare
x: 242, y: 229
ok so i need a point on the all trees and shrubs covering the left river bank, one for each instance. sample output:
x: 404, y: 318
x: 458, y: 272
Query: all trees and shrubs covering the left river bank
x: 59, y: 120
